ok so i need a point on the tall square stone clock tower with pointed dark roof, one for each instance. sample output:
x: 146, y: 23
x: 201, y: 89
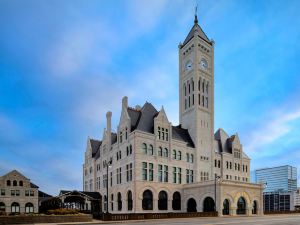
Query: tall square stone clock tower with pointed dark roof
x: 196, y: 97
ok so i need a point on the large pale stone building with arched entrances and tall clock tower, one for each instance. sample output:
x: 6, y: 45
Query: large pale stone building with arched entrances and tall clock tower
x: 153, y: 166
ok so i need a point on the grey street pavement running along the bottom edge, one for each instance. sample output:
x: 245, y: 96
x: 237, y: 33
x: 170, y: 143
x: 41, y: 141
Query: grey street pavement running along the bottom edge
x: 253, y: 220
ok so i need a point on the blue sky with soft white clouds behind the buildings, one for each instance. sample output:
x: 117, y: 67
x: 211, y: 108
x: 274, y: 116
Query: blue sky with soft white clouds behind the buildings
x: 63, y: 64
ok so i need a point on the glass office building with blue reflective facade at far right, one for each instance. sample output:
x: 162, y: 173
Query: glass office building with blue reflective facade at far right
x: 278, y: 179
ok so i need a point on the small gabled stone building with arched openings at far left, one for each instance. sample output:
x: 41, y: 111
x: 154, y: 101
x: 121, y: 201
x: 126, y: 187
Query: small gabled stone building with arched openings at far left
x: 18, y: 194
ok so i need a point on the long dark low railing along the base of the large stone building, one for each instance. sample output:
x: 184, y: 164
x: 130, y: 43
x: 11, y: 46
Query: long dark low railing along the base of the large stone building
x: 145, y: 216
